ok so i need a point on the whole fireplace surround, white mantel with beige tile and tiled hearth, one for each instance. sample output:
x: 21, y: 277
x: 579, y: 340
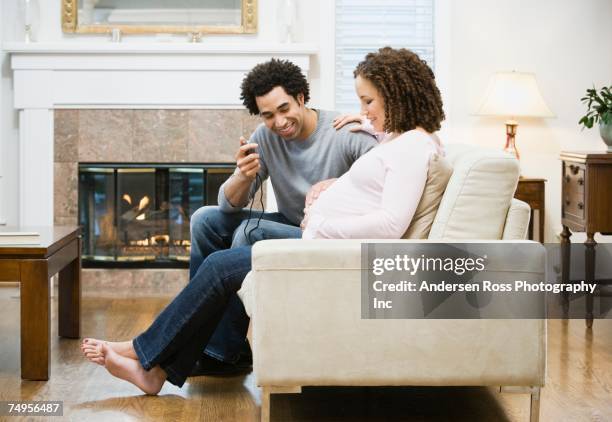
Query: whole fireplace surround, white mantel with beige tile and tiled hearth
x: 126, y: 103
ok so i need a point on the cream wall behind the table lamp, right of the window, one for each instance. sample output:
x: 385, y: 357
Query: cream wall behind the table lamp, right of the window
x: 566, y: 43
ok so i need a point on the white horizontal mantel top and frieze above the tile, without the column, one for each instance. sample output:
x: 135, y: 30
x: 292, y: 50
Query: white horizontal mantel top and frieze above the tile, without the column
x: 130, y: 75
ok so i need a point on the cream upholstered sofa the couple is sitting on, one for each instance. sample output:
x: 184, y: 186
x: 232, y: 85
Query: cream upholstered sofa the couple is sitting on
x: 304, y: 300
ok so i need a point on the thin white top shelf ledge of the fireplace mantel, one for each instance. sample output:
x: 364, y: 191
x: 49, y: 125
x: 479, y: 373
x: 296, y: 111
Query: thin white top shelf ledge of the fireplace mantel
x: 159, y: 48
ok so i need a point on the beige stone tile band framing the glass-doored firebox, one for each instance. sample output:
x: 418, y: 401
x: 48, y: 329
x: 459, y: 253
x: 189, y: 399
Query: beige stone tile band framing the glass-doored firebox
x: 138, y: 136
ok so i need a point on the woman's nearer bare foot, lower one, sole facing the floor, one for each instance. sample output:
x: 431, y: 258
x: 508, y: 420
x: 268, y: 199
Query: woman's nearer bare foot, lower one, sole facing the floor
x: 130, y: 370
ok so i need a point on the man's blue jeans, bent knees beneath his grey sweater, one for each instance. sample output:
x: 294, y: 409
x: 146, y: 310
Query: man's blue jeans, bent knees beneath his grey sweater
x: 213, y: 230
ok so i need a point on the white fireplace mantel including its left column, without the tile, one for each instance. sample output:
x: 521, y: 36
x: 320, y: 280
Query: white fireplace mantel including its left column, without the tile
x: 48, y: 76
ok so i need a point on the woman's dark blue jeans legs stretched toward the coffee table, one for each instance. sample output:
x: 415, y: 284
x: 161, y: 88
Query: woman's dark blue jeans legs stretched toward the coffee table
x: 179, y: 333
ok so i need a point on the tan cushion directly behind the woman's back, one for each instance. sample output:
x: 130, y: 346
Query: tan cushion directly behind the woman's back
x: 439, y: 173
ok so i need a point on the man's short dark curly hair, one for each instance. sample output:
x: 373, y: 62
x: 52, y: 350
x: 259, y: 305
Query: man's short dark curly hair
x: 266, y: 76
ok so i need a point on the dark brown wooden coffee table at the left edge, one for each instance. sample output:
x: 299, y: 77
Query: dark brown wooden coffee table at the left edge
x: 32, y: 266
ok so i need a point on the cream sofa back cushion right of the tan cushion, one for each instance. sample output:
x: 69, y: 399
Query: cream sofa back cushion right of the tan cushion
x: 478, y: 195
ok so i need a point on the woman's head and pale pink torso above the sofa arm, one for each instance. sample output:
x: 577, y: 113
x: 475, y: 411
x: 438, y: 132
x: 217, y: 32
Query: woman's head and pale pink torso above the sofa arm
x: 379, y: 195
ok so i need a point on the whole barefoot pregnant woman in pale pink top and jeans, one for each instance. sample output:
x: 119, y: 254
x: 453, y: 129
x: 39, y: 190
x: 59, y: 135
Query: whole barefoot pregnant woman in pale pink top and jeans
x: 375, y: 199
